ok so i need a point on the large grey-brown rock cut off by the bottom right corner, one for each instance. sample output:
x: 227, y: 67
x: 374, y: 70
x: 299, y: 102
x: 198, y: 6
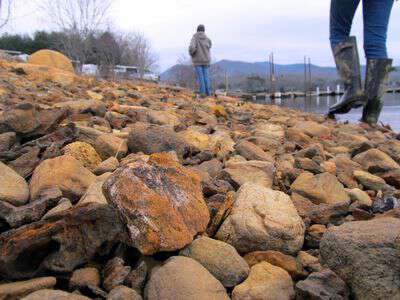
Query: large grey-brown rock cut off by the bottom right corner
x: 365, y: 255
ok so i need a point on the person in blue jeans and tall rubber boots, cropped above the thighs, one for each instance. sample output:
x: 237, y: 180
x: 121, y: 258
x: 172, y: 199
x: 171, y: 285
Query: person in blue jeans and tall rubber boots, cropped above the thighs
x: 376, y: 19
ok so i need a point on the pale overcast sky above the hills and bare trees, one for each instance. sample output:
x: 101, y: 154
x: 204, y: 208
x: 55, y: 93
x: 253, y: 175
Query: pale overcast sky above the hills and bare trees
x: 246, y: 30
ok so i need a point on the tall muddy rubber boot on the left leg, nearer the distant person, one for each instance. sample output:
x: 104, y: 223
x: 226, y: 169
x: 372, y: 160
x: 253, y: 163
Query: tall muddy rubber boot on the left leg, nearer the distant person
x: 348, y: 66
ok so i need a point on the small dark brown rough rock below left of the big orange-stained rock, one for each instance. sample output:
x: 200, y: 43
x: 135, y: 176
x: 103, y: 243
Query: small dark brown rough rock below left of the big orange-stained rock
x: 115, y: 273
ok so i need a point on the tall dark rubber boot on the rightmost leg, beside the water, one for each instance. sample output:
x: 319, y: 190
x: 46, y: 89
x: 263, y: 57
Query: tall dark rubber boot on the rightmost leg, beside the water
x: 376, y: 80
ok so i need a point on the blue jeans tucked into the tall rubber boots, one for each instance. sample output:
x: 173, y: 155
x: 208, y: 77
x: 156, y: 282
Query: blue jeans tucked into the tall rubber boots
x: 376, y: 19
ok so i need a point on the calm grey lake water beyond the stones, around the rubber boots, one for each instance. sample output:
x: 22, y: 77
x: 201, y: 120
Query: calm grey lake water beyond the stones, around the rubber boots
x: 320, y: 105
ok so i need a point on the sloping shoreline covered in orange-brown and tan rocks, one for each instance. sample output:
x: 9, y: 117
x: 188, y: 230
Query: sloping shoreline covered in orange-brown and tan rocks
x: 137, y: 191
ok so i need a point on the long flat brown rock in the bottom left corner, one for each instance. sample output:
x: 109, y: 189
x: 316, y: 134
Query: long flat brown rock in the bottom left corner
x: 17, y: 290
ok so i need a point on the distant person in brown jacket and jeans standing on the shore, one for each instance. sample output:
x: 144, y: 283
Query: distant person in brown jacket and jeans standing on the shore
x: 199, y: 51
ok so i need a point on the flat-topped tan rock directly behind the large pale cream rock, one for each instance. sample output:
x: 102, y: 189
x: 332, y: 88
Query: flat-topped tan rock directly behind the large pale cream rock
x: 239, y: 173
